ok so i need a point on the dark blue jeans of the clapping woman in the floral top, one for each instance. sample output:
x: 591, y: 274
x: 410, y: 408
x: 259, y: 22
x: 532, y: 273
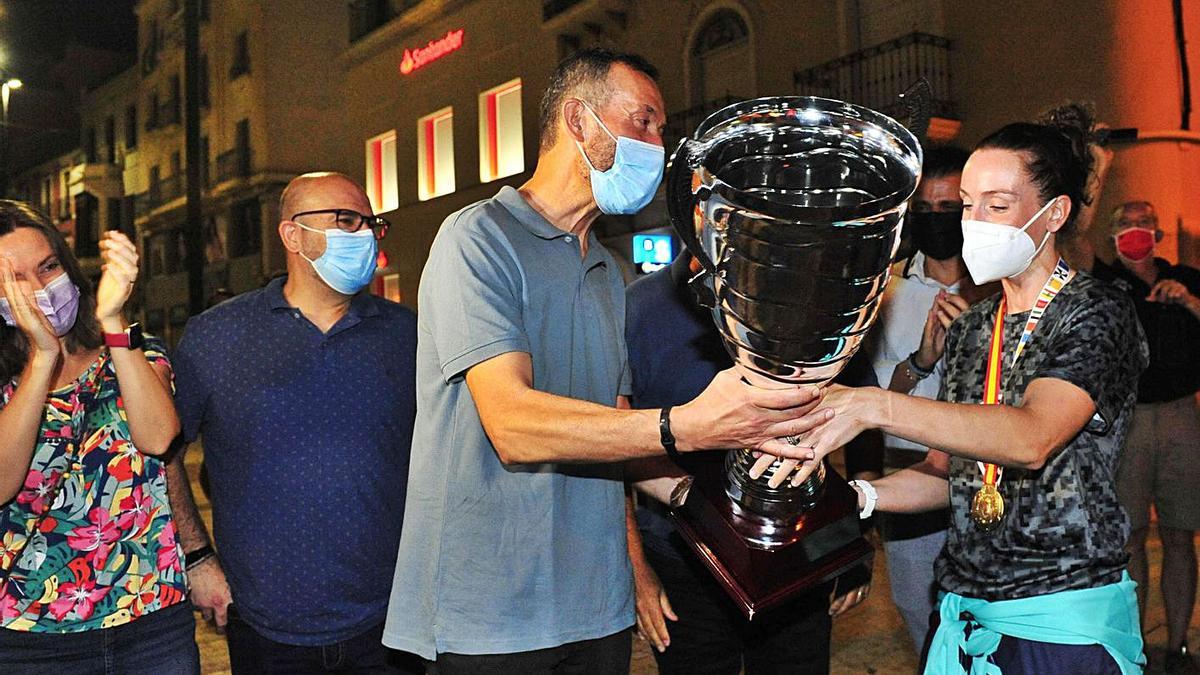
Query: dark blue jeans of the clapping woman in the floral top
x: 160, y: 643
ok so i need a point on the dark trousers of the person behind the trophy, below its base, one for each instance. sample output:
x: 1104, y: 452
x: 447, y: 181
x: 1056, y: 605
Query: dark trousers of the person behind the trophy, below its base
x: 715, y: 638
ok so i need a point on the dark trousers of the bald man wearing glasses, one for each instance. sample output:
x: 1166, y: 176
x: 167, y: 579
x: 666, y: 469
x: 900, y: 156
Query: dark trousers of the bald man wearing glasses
x: 254, y: 654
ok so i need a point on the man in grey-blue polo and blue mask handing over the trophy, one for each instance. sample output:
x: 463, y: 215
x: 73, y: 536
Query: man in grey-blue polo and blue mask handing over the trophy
x: 514, y: 555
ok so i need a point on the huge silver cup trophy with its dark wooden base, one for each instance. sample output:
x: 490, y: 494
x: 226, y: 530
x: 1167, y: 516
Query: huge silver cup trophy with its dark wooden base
x: 793, y: 207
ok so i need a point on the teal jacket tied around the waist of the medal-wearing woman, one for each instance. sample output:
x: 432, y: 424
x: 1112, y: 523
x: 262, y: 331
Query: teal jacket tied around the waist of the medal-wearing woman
x: 1107, y: 616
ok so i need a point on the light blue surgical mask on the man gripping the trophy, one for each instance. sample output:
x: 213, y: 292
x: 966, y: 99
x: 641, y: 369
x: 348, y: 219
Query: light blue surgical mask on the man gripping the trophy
x: 631, y: 182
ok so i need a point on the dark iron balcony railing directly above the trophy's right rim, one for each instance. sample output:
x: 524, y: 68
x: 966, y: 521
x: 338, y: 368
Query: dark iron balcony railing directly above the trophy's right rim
x: 873, y: 77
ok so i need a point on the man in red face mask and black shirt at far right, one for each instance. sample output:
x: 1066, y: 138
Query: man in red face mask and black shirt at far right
x: 1160, y: 463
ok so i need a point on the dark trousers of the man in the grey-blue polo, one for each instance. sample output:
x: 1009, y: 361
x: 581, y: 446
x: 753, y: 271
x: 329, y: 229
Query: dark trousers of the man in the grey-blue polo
x: 602, y: 656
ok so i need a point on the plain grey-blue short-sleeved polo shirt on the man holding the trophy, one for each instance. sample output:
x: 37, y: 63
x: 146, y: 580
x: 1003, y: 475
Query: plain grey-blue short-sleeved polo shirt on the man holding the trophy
x: 502, y: 559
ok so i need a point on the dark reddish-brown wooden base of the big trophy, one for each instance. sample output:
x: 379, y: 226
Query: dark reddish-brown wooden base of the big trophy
x: 806, y: 552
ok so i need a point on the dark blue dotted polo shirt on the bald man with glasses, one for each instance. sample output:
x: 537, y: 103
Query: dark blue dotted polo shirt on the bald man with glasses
x: 307, y: 438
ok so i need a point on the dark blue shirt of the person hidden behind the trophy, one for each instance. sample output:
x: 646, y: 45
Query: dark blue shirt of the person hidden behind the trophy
x: 675, y: 351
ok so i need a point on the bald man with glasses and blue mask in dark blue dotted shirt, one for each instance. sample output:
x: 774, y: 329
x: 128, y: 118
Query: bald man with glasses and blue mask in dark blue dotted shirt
x: 304, y: 396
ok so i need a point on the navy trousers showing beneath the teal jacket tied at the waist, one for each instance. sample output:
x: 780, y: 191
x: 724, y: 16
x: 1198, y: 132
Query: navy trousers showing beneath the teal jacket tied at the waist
x: 1017, y: 656
